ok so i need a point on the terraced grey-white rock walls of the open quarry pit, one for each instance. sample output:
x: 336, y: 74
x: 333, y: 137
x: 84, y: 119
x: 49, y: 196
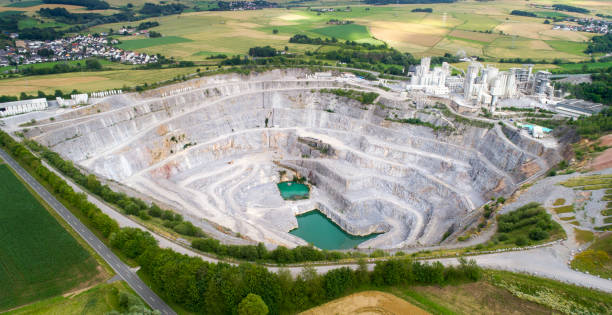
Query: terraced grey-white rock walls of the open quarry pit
x: 213, y: 148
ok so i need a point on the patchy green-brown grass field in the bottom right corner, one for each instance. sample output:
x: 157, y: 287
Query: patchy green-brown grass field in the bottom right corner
x: 502, y: 292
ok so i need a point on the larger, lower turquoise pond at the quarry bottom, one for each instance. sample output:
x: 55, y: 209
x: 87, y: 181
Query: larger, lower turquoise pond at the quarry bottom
x: 315, y: 228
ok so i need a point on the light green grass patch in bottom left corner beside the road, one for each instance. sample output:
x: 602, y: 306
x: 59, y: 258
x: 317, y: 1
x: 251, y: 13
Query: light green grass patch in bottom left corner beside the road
x: 100, y: 299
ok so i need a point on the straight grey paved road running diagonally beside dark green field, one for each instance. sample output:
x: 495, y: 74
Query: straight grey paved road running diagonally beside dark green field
x: 120, y: 268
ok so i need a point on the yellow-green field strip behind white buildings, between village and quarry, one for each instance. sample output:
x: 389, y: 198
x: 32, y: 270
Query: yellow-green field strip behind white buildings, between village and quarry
x: 89, y: 81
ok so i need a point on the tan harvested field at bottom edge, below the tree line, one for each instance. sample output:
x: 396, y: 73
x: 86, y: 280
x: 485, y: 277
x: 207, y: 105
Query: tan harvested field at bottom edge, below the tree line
x: 368, y: 302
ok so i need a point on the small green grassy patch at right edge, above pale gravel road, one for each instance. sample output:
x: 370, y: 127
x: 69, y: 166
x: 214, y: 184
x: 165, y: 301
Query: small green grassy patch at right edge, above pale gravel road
x: 597, y: 259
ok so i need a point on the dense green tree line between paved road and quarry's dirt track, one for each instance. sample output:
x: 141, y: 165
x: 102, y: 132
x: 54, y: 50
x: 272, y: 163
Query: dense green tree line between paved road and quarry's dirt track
x: 220, y: 288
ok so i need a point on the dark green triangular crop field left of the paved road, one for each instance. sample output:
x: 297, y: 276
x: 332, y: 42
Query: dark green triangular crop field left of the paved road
x: 39, y: 258
